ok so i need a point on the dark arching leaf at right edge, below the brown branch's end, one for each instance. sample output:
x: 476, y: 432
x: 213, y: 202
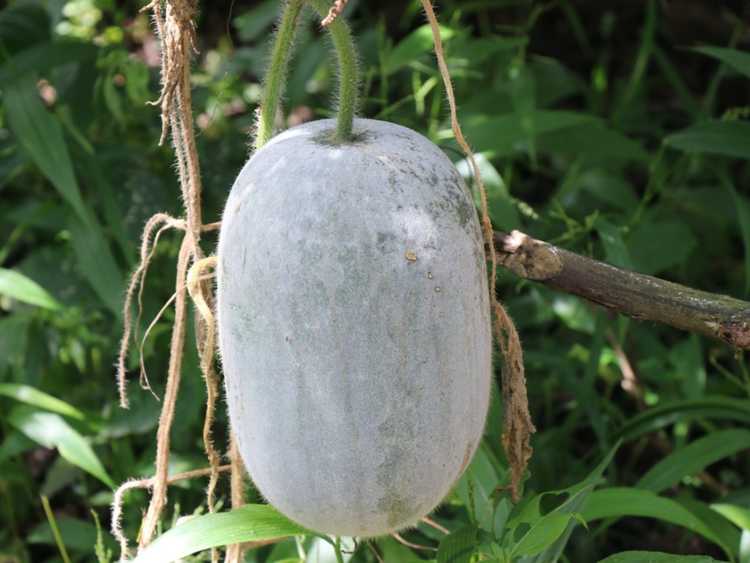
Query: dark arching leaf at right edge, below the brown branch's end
x: 656, y: 418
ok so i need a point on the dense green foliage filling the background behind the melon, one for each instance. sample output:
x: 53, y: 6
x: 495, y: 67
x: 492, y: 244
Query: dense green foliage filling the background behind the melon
x: 615, y: 129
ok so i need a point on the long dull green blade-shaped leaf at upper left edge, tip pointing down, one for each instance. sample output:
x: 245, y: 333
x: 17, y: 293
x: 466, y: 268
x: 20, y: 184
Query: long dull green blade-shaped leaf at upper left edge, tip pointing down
x: 41, y: 137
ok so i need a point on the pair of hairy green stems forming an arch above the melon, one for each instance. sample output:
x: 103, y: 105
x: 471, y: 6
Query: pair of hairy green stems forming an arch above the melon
x: 273, y: 87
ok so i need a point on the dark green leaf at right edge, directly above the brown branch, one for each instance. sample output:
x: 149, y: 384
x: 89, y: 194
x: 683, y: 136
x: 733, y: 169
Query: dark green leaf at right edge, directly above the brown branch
x: 727, y: 138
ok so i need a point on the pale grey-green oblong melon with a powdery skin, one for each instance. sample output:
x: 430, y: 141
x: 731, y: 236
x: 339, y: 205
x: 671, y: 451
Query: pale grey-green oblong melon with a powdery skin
x: 357, y: 377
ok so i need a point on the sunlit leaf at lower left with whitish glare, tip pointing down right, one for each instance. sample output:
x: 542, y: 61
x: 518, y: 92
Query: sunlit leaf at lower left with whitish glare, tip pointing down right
x: 51, y: 431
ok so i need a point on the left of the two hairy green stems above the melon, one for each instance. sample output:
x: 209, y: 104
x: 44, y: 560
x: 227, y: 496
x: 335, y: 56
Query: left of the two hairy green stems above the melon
x: 273, y: 85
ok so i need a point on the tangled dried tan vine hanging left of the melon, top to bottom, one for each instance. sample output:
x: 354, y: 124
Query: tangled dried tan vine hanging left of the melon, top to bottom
x: 173, y: 21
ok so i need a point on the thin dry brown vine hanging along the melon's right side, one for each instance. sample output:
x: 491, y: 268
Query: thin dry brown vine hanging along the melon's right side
x: 517, y: 424
